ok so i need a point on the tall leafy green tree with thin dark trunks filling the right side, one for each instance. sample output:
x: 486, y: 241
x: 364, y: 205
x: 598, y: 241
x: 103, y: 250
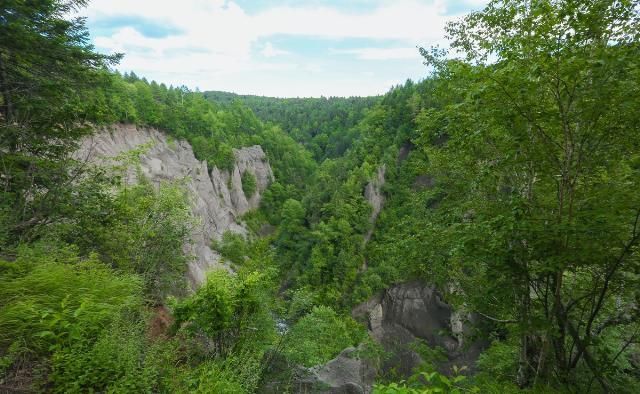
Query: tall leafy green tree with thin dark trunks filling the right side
x: 540, y: 172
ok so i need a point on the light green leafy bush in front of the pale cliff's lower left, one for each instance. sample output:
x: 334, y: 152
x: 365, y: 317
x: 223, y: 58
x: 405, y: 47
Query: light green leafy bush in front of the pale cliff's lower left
x: 137, y: 229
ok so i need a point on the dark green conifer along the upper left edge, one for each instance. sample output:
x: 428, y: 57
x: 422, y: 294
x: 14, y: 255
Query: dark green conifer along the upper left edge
x: 47, y: 68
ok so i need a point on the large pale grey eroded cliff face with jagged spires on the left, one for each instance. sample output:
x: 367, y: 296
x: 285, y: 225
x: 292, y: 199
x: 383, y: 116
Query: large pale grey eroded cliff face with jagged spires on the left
x: 216, y: 197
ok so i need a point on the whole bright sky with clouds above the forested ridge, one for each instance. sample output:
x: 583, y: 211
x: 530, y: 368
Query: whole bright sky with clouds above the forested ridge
x: 280, y: 48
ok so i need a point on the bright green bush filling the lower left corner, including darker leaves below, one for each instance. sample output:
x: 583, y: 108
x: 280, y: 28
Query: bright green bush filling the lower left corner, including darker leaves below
x: 53, y: 303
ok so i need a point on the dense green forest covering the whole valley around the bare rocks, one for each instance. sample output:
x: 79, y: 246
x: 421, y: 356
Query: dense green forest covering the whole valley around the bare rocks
x: 511, y: 184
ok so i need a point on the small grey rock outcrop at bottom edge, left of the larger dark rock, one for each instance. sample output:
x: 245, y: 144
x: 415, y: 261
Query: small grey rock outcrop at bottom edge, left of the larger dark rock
x: 348, y: 373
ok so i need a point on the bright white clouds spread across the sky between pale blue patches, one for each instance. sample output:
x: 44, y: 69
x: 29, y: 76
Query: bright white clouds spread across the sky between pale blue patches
x: 217, y: 39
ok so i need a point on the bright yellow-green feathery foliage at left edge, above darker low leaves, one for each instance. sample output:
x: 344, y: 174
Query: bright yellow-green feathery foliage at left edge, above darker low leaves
x: 53, y: 301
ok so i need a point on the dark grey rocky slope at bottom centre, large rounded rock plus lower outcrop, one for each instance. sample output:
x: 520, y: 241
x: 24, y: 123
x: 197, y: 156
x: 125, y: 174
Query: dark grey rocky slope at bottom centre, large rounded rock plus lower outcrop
x: 399, y: 319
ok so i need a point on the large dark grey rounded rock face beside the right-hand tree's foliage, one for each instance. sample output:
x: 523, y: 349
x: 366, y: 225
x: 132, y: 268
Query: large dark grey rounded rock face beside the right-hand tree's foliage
x: 405, y: 313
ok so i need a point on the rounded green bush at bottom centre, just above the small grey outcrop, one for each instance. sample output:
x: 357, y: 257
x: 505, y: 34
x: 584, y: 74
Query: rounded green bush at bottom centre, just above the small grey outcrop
x: 320, y: 335
